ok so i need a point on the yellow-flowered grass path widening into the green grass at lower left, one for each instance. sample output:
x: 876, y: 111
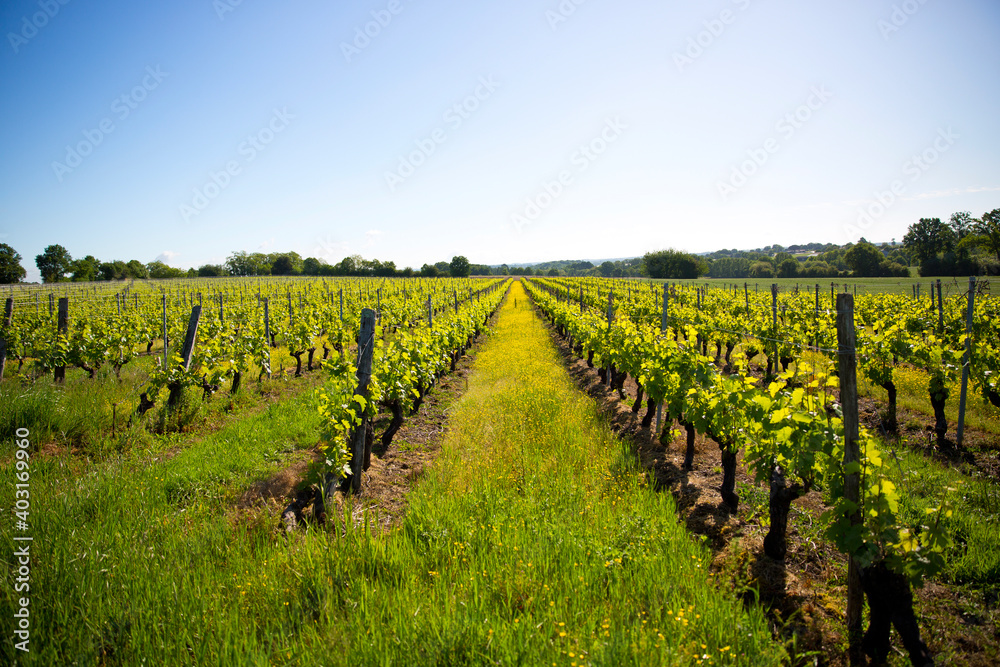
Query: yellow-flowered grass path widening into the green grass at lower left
x: 533, y: 540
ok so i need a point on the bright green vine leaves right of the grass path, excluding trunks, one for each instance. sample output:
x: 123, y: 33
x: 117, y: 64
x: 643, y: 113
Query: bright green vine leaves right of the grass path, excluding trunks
x: 793, y: 423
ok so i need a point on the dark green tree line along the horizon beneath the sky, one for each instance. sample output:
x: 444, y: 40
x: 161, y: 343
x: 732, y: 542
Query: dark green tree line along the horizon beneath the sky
x: 960, y: 247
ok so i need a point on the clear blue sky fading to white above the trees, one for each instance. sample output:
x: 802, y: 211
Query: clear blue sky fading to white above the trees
x: 516, y: 131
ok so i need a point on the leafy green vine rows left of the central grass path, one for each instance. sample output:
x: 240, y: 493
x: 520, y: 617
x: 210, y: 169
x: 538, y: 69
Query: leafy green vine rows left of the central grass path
x: 202, y: 336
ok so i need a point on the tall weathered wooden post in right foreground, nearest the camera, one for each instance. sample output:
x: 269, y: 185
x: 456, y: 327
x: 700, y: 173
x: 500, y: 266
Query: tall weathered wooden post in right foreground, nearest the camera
x: 847, y: 372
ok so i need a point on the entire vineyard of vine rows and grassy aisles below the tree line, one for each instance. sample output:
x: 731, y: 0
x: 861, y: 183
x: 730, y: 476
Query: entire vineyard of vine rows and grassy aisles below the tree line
x: 769, y: 377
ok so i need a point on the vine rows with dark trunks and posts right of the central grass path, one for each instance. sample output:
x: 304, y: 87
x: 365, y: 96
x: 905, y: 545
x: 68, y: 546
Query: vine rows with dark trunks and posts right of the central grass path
x: 760, y: 375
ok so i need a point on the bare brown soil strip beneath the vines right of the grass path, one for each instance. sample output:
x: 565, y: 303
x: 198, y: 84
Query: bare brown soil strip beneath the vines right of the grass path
x: 805, y: 594
